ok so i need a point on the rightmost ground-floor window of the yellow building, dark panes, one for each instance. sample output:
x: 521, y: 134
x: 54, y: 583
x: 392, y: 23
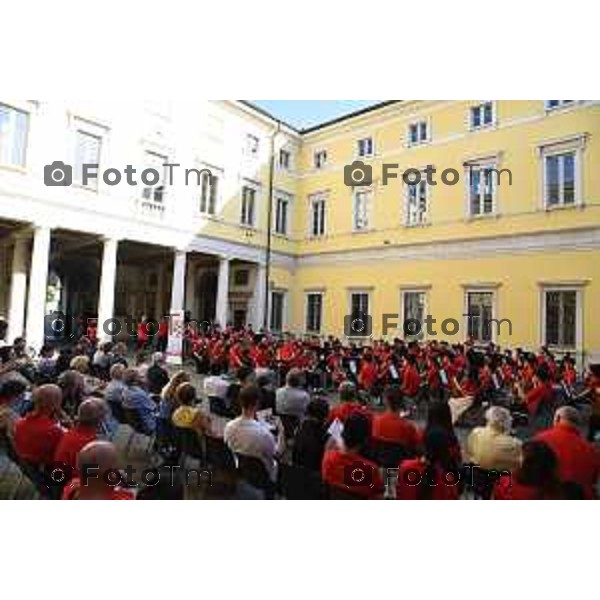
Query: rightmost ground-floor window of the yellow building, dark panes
x: 560, y: 307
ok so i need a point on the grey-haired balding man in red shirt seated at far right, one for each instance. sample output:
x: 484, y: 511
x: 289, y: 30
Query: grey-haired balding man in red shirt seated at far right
x: 578, y: 459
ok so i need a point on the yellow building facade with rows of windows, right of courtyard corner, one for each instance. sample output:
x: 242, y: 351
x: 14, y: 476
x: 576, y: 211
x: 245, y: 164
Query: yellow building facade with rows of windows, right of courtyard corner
x: 521, y: 243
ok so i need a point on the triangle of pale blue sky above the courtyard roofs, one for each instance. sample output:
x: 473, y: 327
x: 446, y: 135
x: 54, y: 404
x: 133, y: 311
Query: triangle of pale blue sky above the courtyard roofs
x: 306, y: 113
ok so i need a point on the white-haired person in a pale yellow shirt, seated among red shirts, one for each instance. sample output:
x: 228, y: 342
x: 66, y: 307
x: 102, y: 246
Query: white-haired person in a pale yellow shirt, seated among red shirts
x: 492, y: 446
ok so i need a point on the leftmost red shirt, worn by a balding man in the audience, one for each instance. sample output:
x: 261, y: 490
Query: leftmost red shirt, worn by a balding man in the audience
x: 36, y: 438
